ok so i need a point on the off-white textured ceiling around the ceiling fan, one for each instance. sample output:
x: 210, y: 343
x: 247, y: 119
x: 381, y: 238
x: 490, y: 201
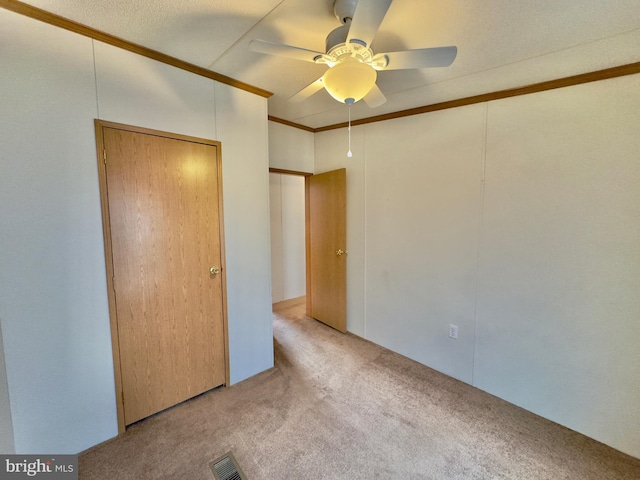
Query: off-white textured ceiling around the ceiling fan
x: 501, y: 43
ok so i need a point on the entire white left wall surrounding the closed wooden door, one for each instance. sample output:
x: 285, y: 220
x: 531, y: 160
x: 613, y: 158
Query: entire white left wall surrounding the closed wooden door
x: 53, y: 304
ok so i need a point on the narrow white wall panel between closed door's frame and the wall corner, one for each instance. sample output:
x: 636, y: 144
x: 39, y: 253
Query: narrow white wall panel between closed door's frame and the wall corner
x: 241, y: 123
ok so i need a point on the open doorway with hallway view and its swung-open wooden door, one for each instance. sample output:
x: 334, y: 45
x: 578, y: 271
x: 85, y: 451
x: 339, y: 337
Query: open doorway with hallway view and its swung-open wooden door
x: 324, y: 240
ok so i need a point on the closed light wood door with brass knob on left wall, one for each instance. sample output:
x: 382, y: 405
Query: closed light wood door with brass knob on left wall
x: 165, y: 231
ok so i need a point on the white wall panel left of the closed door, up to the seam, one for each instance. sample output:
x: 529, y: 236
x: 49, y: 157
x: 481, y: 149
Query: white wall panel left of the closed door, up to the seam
x: 54, y: 310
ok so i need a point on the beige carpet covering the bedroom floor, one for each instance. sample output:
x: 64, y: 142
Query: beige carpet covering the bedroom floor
x: 338, y: 407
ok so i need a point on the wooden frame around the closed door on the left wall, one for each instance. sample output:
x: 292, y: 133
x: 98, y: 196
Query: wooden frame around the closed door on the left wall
x: 108, y: 253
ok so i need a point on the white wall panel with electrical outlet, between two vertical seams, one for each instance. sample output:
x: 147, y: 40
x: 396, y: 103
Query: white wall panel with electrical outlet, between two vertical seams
x: 422, y: 209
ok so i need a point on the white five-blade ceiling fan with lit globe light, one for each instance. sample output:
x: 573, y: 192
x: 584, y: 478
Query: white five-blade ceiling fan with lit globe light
x: 353, y: 65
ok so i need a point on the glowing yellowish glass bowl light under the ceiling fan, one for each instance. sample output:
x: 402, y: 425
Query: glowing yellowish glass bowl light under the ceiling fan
x: 349, y: 81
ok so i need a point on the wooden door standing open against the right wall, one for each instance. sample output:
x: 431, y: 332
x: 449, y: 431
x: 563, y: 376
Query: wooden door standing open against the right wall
x: 326, y: 248
